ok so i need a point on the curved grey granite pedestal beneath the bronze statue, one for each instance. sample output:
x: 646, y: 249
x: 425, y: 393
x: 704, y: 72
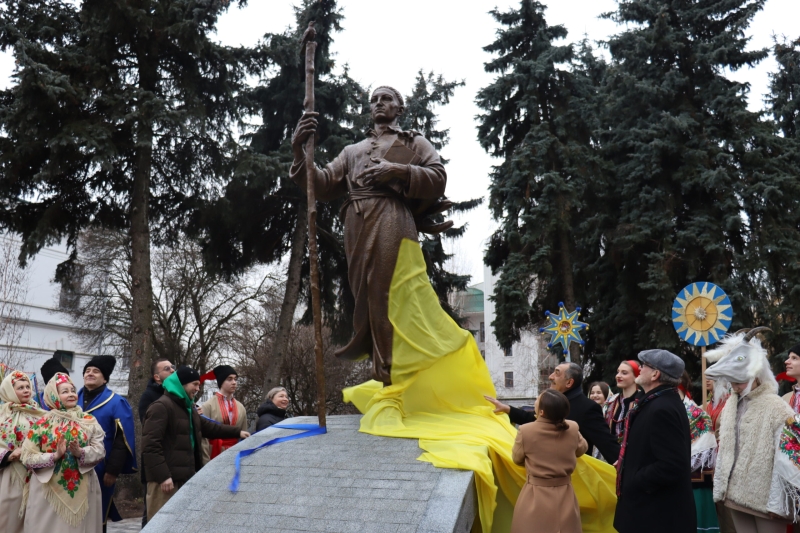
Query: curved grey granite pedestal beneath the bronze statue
x: 343, y: 481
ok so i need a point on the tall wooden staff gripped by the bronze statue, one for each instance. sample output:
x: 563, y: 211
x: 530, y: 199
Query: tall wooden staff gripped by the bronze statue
x: 308, y: 106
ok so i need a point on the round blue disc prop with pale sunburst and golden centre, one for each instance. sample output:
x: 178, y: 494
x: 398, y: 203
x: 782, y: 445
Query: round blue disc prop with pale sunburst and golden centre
x: 701, y: 313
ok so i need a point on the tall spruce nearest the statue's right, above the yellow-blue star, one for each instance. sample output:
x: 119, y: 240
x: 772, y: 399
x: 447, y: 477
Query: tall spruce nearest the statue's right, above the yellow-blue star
x: 539, y: 119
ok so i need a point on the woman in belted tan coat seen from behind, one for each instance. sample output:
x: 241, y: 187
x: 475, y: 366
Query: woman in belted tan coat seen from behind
x: 548, y: 448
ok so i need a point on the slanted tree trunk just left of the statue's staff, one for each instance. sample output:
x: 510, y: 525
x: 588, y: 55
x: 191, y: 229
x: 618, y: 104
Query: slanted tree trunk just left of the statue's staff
x: 290, y: 298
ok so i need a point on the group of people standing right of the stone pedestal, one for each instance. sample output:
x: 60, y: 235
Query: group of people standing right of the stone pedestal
x: 731, y: 467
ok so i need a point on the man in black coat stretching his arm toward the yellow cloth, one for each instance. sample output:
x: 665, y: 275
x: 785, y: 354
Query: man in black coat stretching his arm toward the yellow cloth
x: 567, y: 379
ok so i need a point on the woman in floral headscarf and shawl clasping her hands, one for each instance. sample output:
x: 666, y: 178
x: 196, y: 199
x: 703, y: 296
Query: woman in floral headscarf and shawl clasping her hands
x: 62, y: 449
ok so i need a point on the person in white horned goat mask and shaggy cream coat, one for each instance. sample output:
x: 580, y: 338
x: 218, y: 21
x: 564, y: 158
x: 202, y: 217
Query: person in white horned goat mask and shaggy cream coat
x: 750, y: 425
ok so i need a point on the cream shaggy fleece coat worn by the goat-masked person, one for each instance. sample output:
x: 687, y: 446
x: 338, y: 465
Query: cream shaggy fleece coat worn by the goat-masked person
x: 745, y: 480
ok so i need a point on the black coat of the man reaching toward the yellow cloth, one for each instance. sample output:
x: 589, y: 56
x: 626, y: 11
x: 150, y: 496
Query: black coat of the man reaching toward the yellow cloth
x: 589, y: 416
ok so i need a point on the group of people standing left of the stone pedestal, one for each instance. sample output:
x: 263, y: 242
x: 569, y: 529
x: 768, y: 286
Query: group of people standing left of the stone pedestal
x: 62, y: 450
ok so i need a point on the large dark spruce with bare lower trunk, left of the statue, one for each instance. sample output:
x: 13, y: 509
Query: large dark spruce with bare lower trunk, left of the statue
x: 119, y: 117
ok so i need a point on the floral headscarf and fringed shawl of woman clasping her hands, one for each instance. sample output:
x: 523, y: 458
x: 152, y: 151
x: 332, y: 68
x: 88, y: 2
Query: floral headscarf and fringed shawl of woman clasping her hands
x: 66, y: 490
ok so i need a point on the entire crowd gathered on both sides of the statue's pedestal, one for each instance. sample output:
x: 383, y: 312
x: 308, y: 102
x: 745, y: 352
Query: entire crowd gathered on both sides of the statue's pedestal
x: 730, y: 464
